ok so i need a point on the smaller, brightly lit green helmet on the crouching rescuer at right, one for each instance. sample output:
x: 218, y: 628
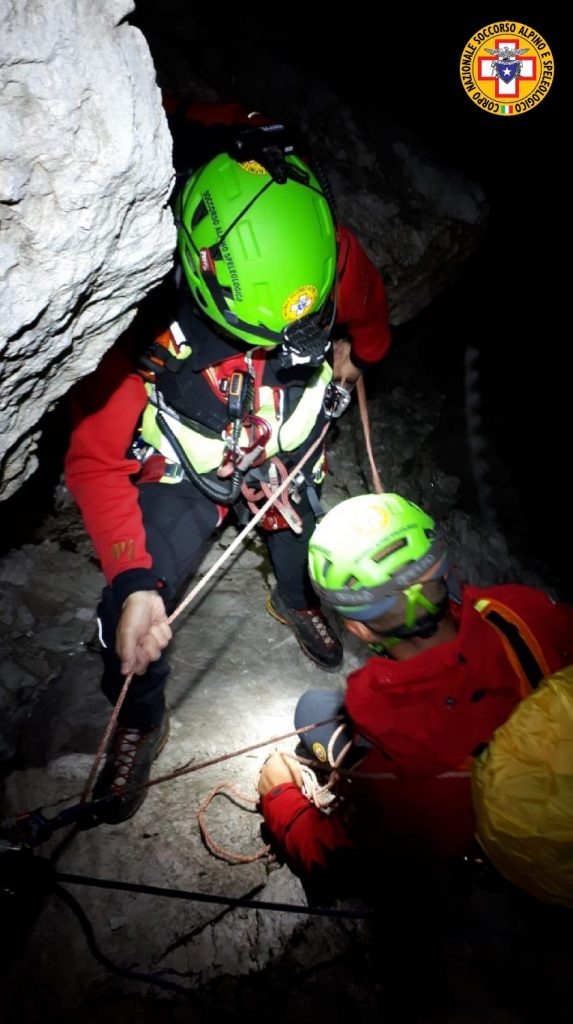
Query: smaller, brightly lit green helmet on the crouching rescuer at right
x: 369, y: 550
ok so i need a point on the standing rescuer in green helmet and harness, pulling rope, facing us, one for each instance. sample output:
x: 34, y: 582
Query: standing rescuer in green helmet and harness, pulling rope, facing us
x: 224, y: 404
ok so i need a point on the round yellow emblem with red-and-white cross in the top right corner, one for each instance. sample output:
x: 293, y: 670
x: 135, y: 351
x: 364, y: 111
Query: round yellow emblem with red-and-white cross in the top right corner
x: 507, y: 68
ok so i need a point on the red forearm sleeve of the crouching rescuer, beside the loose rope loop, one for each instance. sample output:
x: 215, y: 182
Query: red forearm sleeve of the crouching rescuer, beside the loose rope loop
x: 308, y: 838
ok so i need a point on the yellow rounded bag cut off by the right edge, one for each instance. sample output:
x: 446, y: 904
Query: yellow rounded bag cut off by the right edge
x: 523, y: 793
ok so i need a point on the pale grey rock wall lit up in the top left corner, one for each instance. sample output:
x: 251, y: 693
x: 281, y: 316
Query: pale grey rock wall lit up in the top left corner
x: 85, y: 178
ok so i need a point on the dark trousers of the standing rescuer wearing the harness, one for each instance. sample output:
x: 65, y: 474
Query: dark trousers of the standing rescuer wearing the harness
x: 181, y: 527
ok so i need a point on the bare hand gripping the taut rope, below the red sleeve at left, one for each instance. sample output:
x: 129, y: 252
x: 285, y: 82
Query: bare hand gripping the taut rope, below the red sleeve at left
x: 143, y: 631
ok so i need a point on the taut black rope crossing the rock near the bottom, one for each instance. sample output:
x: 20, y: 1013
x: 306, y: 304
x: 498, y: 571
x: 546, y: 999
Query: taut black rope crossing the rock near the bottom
x: 130, y: 887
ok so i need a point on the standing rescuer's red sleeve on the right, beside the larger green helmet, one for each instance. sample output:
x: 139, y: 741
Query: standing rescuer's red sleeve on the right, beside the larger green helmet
x: 363, y: 308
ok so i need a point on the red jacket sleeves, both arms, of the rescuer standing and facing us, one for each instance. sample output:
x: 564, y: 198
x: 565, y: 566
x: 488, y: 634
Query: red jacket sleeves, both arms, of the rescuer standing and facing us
x: 109, y: 404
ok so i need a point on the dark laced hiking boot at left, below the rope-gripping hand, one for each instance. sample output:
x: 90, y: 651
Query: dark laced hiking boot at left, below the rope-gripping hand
x: 127, y: 766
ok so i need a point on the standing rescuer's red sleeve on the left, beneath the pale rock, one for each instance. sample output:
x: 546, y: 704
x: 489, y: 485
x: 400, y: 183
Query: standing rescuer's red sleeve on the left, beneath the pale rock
x: 106, y: 409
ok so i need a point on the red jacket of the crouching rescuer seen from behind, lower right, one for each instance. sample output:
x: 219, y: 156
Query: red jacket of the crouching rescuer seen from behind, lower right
x: 426, y: 718
